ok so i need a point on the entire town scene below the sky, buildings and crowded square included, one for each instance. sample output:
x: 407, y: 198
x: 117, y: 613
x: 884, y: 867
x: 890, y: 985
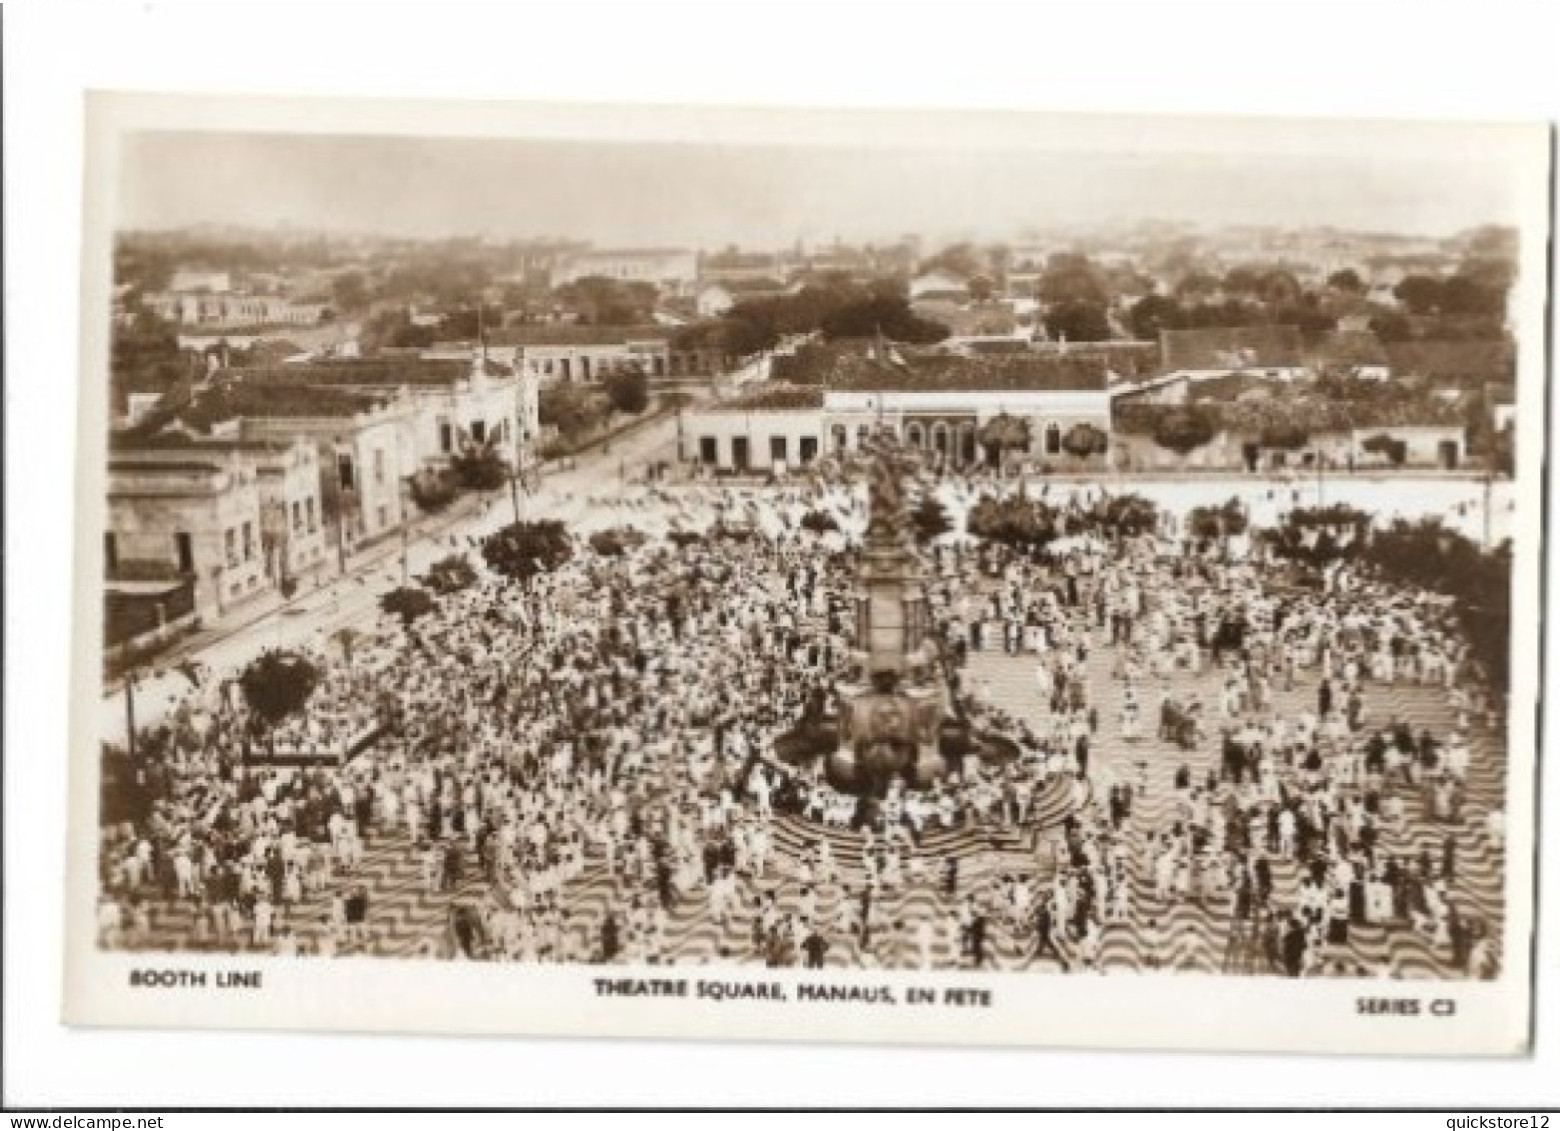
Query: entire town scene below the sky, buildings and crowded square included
x: 1124, y: 601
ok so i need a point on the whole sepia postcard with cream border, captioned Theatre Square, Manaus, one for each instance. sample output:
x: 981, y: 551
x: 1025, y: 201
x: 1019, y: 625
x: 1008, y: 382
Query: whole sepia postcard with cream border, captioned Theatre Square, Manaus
x: 829, y: 576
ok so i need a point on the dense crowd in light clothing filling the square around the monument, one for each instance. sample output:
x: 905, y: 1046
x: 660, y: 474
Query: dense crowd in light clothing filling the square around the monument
x: 584, y: 764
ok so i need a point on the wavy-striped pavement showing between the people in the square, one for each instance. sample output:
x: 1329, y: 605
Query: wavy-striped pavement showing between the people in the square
x: 406, y: 916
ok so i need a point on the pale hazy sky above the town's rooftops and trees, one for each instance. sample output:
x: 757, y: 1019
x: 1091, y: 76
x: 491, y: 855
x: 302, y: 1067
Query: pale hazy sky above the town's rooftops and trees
x: 675, y: 194
